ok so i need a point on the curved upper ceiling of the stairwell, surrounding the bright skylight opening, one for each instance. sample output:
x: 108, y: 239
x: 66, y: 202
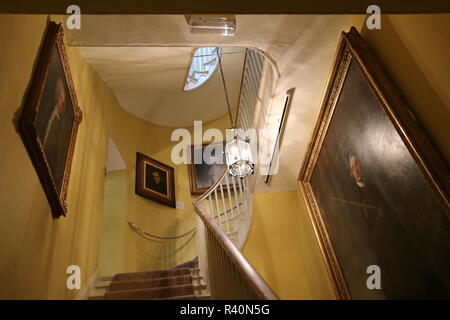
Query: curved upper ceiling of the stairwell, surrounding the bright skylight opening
x: 148, y: 82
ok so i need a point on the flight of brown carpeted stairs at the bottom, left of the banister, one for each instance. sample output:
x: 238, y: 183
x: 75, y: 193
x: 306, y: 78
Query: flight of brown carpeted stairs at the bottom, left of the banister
x: 183, y: 282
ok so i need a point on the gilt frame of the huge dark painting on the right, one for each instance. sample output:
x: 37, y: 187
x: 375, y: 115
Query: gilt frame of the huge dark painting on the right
x: 434, y: 167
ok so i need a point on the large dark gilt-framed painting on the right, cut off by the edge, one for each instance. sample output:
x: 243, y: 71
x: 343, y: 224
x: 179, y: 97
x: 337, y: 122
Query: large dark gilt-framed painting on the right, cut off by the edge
x: 375, y: 188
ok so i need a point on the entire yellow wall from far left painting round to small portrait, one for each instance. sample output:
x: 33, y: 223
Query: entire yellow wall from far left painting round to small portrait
x: 35, y: 249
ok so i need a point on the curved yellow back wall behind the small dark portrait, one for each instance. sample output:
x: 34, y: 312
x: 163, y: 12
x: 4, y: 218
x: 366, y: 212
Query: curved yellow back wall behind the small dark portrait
x: 131, y: 134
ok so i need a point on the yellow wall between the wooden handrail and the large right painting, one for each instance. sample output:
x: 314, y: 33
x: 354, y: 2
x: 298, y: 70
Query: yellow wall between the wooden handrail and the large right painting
x: 282, y: 247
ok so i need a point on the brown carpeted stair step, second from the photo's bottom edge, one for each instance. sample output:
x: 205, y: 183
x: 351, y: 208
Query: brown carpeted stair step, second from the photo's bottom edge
x: 150, y: 283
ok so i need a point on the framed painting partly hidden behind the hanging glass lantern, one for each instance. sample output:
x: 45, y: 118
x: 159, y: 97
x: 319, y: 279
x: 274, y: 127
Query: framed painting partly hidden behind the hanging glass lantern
x: 207, y: 163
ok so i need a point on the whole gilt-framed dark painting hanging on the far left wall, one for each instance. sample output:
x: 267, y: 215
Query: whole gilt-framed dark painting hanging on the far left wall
x: 50, y: 119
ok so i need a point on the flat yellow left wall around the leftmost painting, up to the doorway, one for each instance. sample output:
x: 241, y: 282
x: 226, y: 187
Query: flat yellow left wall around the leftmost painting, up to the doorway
x: 35, y: 249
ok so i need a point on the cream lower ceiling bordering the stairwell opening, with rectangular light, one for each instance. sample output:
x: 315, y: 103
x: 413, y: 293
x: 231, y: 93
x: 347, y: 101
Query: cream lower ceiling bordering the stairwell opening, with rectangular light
x: 302, y: 46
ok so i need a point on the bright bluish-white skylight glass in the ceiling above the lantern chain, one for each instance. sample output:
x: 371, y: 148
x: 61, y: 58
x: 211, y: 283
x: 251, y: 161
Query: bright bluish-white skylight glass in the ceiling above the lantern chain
x: 204, y: 63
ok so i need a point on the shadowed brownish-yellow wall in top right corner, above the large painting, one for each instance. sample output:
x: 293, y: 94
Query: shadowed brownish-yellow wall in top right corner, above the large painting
x: 406, y: 71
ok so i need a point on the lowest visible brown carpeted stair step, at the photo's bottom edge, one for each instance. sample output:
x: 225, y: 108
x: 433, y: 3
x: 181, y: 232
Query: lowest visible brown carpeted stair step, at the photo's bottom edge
x: 152, y: 293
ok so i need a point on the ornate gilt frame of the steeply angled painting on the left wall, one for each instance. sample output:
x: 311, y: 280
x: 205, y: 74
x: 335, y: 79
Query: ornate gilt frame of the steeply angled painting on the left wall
x: 54, y: 36
